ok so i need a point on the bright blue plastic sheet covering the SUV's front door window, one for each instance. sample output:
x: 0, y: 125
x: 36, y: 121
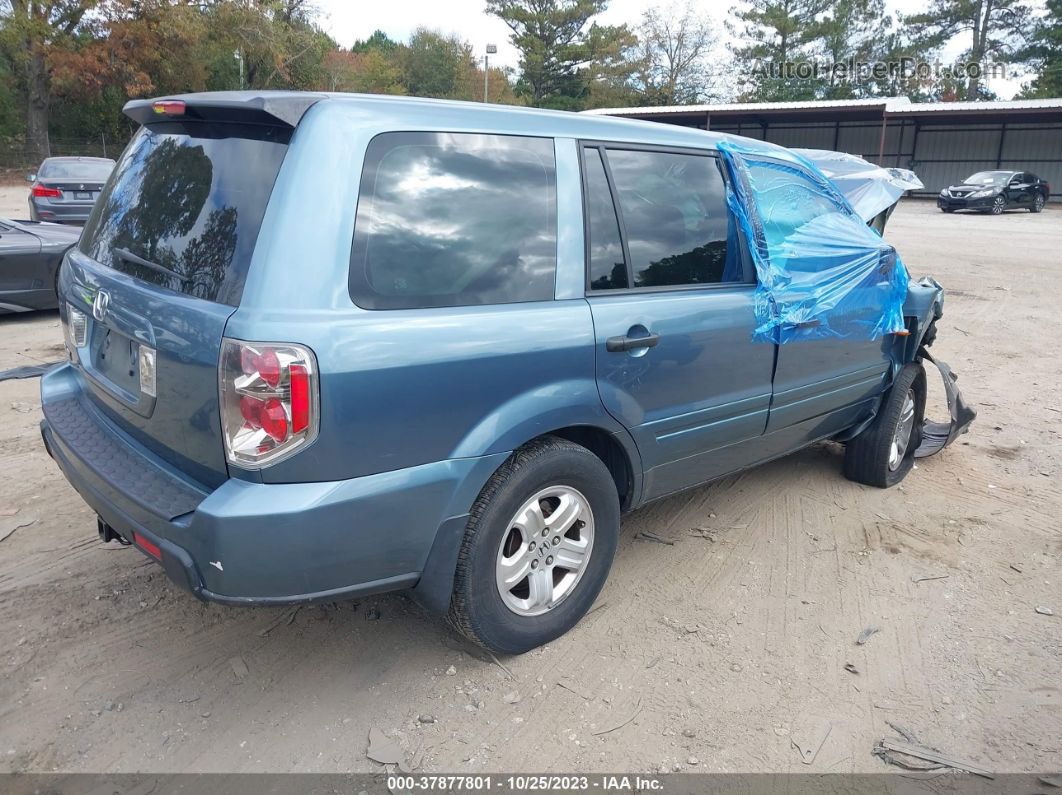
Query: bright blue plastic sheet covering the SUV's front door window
x: 821, y: 271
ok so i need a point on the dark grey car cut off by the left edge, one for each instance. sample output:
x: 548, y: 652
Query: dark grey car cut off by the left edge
x: 30, y: 257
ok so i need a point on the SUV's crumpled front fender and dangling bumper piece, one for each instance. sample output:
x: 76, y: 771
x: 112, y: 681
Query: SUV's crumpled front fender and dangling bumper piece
x: 923, y: 308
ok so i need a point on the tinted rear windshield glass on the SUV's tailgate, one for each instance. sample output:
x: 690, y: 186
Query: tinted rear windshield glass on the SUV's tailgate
x: 184, y: 206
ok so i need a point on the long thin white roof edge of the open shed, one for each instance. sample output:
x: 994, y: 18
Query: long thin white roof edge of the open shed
x: 889, y: 105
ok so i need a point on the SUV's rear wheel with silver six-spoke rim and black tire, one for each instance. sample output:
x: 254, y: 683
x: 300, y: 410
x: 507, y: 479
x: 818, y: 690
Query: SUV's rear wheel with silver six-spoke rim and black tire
x: 540, y: 542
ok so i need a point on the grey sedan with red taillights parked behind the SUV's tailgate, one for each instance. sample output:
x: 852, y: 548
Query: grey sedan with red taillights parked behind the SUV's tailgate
x: 65, y: 188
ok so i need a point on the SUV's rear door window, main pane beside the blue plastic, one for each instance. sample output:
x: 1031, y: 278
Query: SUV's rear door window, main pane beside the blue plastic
x: 675, y: 217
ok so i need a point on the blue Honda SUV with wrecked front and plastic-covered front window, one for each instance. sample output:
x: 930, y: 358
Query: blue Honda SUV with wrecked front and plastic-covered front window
x: 323, y: 347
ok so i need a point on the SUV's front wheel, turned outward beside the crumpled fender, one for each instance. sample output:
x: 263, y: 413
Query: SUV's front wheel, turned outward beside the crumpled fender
x: 884, y: 454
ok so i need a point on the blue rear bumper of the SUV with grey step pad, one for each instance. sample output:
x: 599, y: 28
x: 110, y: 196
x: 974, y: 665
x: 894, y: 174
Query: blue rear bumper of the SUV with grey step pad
x: 254, y: 544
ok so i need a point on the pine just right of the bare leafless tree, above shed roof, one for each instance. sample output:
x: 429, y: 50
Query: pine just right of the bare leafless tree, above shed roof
x: 774, y: 37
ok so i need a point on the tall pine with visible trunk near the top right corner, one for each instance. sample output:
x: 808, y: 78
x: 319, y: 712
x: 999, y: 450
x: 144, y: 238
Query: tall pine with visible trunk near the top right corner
x: 998, y: 30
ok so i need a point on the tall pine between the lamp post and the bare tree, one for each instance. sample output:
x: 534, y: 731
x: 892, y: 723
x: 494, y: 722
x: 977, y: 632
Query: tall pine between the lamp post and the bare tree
x: 561, y: 48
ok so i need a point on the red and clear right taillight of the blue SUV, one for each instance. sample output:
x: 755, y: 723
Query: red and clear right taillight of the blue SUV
x: 269, y: 401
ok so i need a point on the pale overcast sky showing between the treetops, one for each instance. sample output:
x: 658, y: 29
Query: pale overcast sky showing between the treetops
x: 348, y: 21
